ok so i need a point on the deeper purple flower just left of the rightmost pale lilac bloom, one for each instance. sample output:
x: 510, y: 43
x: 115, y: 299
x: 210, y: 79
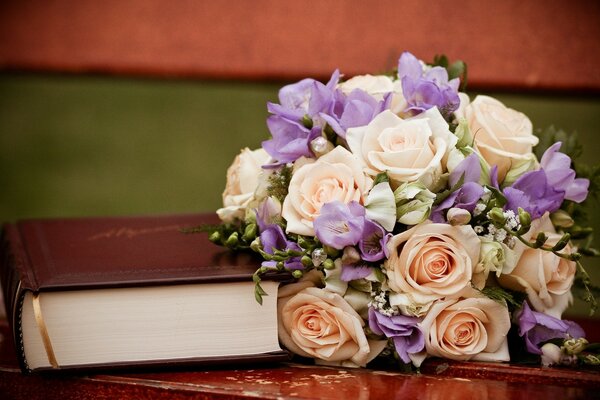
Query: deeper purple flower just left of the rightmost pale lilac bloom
x: 534, y: 194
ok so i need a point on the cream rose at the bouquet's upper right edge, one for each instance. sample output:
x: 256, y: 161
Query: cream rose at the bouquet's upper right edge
x: 502, y: 135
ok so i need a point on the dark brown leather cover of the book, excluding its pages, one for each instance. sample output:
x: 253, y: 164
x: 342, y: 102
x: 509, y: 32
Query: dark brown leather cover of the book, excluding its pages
x: 109, y: 252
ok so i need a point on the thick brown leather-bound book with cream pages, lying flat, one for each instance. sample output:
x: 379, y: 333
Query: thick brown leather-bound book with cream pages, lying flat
x: 98, y: 293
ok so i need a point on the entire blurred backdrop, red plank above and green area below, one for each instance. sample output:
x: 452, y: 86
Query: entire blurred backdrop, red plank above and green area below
x: 128, y: 109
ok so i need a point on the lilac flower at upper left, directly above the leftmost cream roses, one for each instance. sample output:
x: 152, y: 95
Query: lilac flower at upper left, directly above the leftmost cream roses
x: 291, y: 140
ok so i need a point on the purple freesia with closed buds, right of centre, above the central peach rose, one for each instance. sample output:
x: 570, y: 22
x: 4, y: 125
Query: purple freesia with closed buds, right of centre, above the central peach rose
x: 467, y: 196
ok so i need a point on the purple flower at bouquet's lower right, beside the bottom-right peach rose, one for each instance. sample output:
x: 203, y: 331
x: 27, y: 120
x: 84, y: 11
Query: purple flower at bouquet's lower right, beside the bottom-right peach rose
x: 538, y: 328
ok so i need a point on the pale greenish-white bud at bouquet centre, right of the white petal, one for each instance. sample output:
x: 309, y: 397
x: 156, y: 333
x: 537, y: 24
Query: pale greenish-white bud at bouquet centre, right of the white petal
x: 413, y: 203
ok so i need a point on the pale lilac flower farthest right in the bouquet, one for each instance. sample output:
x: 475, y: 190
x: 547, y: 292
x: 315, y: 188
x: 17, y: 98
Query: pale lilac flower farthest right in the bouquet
x: 560, y: 175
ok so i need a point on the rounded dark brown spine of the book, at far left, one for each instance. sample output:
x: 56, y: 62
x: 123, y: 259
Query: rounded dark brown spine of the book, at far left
x: 15, y: 280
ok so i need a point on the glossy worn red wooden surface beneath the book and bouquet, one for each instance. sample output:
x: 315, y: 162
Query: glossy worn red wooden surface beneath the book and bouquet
x: 439, y: 380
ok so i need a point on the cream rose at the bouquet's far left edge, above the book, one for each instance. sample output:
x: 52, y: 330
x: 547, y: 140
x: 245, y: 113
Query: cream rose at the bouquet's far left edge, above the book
x: 242, y: 180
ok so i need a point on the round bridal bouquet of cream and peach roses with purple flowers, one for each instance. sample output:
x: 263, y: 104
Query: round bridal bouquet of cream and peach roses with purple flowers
x: 415, y: 221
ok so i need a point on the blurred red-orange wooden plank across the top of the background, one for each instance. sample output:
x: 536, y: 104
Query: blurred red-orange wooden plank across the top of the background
x: 511, y: 44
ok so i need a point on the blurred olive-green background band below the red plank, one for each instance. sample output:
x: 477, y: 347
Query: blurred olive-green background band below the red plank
x: 82, y: 145
